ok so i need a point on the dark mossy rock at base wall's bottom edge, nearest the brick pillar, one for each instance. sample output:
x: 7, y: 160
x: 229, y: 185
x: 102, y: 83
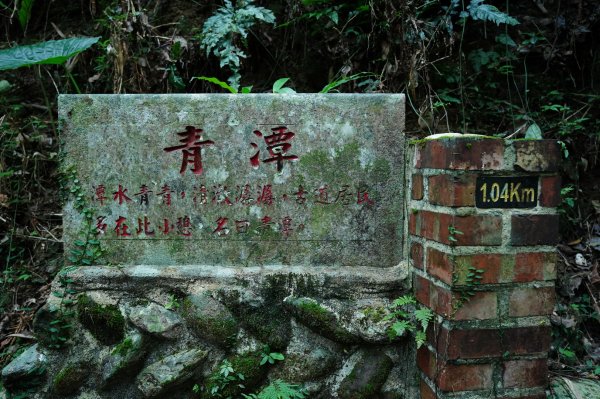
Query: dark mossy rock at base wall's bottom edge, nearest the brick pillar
x: 367, y: 377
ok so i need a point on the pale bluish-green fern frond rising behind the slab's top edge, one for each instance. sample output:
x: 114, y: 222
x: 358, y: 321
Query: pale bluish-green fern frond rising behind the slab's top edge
x: 230, y: 25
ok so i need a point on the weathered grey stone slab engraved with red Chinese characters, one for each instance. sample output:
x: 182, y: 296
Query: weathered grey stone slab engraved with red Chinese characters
x: 228, y: 185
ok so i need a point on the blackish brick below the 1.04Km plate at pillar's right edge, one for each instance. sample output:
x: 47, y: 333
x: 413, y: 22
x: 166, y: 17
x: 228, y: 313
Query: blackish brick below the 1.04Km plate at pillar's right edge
x: 534, y: 230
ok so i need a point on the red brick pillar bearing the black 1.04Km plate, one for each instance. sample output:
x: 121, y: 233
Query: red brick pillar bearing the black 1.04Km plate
x: 485, y: 266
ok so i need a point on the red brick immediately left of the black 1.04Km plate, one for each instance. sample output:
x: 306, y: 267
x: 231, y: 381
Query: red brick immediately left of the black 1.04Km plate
x: 452, y: 190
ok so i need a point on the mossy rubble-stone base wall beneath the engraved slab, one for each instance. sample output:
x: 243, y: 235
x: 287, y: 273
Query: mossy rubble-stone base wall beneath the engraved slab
x: 155, y: 332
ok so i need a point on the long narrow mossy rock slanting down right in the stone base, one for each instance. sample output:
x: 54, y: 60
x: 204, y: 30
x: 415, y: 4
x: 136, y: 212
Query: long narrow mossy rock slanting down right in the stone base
x: 319, y: 319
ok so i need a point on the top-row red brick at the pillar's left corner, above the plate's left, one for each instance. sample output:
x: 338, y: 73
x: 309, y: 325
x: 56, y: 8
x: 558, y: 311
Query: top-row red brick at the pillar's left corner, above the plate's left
x: 461, y: 153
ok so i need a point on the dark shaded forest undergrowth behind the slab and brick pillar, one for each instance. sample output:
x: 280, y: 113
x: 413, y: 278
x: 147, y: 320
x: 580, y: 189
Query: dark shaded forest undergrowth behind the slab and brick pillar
x: 525, y: 68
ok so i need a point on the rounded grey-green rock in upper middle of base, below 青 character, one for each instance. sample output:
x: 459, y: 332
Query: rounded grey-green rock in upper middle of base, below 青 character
x: 209, y: 319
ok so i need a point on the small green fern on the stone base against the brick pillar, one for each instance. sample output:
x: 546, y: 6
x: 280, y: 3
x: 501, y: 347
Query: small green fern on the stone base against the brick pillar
x: 409, y: 317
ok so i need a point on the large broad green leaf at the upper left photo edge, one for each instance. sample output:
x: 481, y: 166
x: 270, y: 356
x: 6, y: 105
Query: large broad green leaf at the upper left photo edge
x: 50, y: 52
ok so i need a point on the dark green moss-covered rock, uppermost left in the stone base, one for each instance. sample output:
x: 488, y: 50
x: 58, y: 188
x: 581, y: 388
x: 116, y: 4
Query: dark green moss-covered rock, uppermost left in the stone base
x: 104, y: 322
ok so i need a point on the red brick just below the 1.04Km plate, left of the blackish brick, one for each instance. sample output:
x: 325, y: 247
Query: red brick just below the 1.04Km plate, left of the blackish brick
x: 478, y: 230
